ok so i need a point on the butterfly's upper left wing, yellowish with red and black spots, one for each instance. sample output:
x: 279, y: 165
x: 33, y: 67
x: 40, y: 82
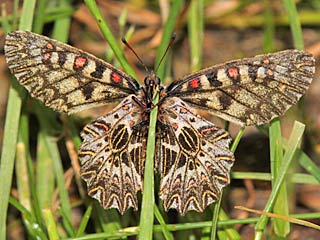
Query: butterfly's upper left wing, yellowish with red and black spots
x: 64, y: 78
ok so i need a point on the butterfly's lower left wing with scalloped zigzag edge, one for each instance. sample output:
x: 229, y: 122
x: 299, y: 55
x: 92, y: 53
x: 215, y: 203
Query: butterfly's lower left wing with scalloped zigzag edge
x: 112, y: 156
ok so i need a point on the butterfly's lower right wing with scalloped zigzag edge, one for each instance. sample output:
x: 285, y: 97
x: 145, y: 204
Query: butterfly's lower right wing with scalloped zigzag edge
x: 195, y: 158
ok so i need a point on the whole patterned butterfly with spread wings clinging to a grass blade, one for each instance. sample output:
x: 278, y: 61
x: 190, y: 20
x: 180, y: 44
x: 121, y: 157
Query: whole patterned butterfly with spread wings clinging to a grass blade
x: 192, y: 154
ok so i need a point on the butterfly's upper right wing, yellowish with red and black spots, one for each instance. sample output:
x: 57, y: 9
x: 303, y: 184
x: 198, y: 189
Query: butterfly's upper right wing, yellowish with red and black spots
x: 251, y: 90
